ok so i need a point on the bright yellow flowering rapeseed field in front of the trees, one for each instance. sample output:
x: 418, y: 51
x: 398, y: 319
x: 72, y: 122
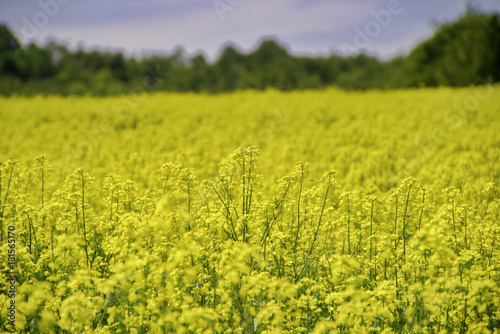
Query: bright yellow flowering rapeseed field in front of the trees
x: 251, y: 212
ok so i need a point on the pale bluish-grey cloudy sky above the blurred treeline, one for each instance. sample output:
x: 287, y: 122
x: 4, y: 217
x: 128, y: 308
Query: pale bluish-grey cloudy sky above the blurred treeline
x: 384, y: 28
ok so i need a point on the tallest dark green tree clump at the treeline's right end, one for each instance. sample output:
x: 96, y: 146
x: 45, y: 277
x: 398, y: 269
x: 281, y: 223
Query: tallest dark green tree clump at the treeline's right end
x: 459, y: 53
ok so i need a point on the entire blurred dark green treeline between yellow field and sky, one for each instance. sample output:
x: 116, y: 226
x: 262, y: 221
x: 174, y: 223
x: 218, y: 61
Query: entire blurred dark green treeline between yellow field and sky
x: 460, y: 53
